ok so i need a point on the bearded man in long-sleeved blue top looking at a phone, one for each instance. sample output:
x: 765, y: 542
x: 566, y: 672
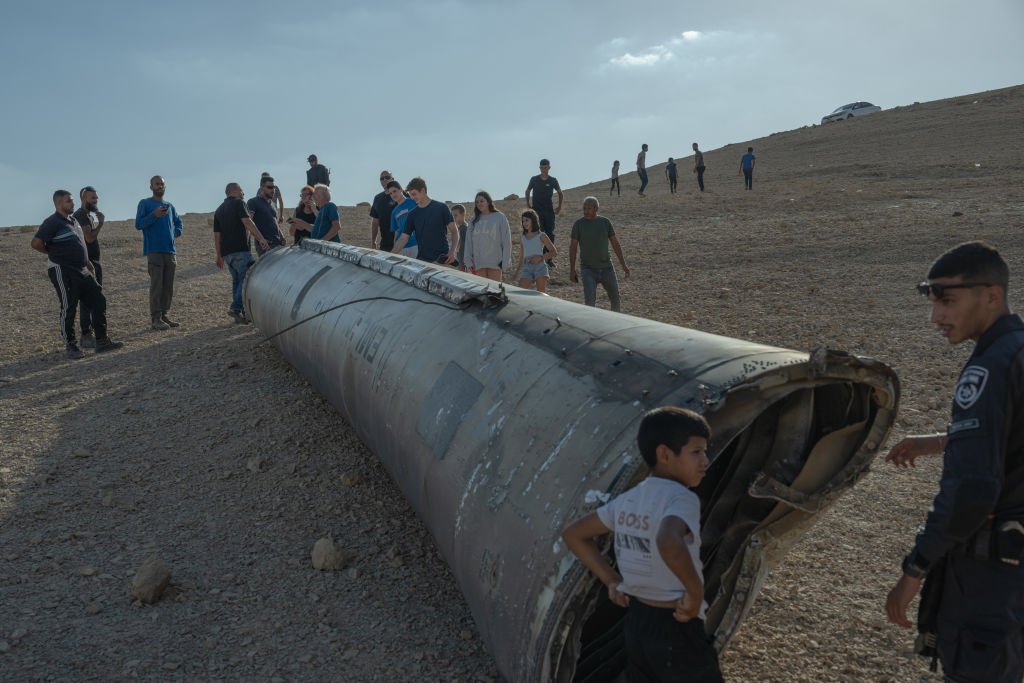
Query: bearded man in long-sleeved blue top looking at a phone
x: 160, y: 225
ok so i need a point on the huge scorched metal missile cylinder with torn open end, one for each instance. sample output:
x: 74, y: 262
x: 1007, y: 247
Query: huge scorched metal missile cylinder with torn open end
x: 504, y: 414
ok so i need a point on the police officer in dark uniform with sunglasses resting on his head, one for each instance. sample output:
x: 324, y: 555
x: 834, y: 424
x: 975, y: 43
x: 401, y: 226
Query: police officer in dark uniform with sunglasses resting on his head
x: 975, y: 531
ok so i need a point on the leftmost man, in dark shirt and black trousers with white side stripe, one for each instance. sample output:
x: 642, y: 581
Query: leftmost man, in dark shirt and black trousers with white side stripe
x: 69, y: 268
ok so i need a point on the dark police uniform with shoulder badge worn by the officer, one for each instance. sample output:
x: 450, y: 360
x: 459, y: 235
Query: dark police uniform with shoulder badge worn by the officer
x: 972, y: 522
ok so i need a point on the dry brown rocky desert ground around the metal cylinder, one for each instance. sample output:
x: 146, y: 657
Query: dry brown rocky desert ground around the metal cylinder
x: 204, y: 448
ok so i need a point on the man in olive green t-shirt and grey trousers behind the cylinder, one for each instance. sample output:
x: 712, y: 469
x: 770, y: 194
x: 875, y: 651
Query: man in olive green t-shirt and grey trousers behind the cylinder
x: 591, y: 237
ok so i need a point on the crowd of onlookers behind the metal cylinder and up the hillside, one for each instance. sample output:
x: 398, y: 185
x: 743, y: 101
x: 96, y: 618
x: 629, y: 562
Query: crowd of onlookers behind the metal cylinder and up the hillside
x: 404, y: 221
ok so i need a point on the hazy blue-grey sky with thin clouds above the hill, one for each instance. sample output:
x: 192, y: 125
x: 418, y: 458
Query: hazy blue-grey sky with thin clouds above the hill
x: 470, y: 95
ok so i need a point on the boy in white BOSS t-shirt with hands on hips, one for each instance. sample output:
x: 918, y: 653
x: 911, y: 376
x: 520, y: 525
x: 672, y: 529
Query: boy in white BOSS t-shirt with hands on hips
x: 657, y: 526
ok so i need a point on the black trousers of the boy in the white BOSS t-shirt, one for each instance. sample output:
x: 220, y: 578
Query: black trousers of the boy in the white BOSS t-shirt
x: 660, y: 649
